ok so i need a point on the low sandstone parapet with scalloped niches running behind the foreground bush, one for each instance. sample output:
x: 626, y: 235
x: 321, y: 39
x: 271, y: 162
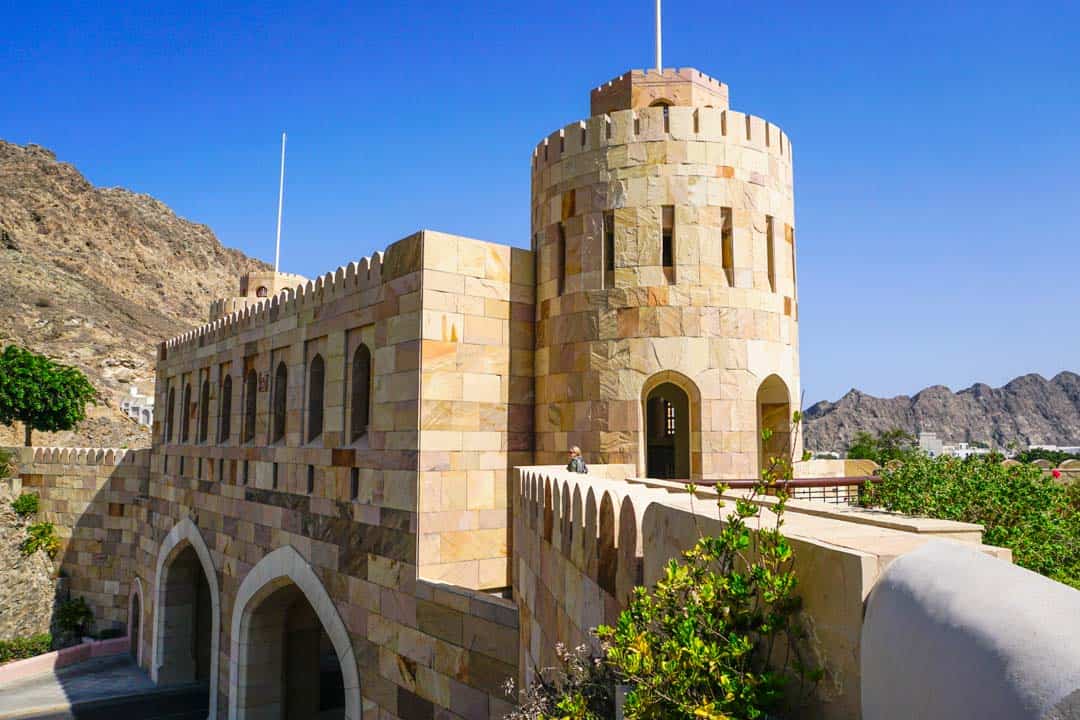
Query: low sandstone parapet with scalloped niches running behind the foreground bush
x: 582, y: 544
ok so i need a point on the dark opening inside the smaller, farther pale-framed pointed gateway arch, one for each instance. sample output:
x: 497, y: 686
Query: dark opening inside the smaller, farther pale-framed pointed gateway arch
x: 188, y: 619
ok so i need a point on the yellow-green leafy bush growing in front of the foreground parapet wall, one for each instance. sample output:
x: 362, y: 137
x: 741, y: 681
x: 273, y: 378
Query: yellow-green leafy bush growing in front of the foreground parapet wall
x: 705, y: 642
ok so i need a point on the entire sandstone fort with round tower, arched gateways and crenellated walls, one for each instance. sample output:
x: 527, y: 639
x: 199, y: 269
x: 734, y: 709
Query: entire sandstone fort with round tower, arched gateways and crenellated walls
x: 346, y: 511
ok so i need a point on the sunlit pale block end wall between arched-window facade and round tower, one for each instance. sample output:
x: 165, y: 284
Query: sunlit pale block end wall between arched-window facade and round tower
x: 476, y: 404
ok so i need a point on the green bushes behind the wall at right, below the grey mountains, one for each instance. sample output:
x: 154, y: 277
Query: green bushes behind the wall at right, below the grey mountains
x: 1020, y: 509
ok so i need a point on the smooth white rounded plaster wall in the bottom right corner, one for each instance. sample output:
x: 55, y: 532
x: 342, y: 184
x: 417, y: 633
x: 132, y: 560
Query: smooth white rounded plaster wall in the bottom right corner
x: 952, y: 634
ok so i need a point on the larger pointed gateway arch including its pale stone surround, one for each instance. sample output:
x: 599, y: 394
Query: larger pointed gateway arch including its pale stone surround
x: 292, y: 653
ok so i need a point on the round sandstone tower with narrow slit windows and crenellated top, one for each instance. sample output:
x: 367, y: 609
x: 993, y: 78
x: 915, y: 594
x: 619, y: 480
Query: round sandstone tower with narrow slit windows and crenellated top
x: 667, y: 304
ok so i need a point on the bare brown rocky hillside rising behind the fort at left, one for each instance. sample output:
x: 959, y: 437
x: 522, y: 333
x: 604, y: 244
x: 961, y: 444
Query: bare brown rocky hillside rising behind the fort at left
x: 96, y: 278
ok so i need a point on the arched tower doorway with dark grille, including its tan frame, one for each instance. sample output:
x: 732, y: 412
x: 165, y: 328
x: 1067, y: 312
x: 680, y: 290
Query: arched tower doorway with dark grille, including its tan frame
x: 670, y: 446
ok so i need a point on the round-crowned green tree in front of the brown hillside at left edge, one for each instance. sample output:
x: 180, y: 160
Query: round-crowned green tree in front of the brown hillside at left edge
x: 40, y: 393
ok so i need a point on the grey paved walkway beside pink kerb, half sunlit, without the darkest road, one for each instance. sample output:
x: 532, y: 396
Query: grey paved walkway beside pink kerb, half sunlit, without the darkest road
x: 92, y: 681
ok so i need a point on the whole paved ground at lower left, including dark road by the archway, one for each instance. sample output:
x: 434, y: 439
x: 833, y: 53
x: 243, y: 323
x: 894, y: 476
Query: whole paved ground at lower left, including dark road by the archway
x: 84, y: 691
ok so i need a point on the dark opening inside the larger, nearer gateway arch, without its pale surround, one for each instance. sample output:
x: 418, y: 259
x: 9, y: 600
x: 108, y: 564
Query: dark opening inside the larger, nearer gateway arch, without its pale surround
x: 296, y: 672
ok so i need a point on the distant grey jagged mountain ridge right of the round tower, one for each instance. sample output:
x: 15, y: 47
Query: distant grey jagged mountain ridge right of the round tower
x: 1030, y: 410
